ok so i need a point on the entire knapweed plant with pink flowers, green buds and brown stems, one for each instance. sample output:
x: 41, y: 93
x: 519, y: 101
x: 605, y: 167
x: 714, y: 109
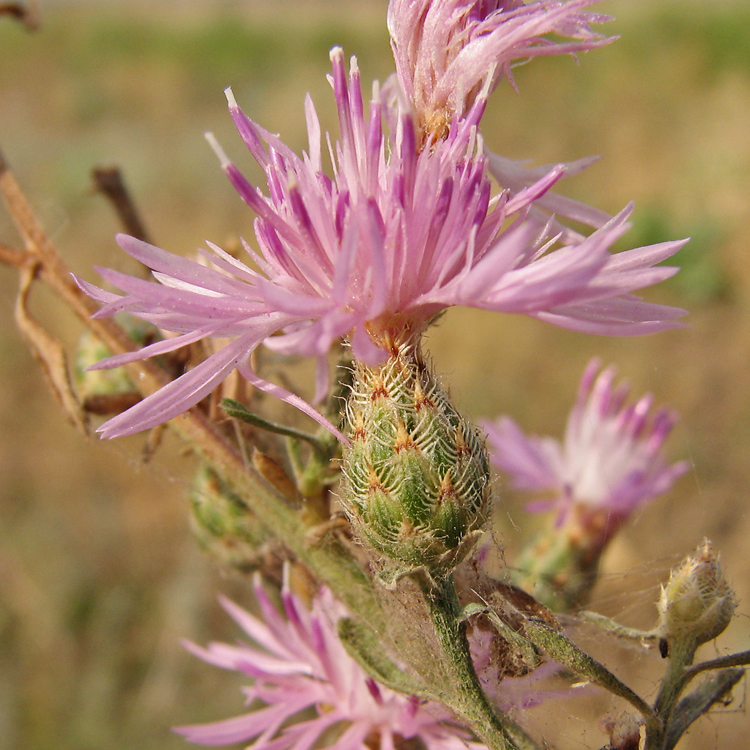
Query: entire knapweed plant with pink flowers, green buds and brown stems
x: 366, y: 529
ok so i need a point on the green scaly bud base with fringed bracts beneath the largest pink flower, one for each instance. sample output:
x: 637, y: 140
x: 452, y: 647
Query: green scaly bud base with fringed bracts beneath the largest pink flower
x: 416, y: 475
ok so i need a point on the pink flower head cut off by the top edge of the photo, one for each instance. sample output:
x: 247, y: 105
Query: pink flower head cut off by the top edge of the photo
x: 447, y: 51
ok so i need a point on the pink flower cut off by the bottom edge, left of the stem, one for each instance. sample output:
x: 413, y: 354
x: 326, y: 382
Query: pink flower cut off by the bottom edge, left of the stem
x: 308, y: 691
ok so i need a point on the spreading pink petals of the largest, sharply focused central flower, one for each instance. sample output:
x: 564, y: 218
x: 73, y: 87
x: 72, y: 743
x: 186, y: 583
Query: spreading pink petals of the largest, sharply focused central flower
x: 372, y: 254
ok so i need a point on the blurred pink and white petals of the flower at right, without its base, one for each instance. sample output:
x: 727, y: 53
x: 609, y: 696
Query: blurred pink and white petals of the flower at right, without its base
x: 610, y: 460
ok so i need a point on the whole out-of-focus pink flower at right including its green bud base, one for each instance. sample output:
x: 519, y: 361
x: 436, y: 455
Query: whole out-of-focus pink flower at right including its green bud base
x: 610, y: 463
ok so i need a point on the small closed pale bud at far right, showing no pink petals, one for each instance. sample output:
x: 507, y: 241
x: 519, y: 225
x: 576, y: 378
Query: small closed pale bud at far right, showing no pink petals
x: 696, y: 605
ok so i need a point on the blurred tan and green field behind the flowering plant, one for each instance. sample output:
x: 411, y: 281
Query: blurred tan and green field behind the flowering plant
x: 99, y: 578
